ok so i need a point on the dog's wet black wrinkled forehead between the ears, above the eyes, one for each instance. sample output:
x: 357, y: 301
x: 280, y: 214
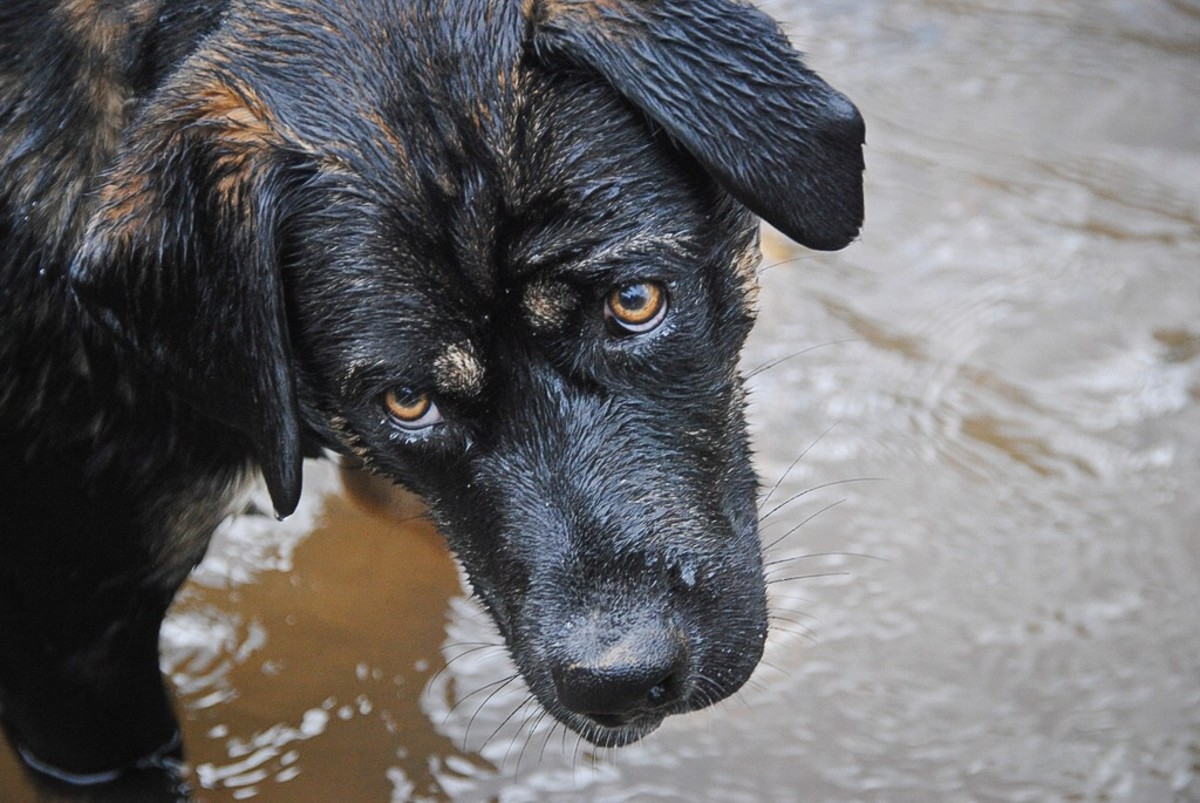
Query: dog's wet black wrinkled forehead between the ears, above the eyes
x: 507, y: 200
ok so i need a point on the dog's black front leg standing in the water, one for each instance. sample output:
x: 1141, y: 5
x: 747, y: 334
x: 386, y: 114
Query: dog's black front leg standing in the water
x: 83, y: 591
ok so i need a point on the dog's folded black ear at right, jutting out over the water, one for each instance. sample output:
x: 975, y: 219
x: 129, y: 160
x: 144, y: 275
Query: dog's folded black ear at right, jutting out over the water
x: 723, y: 81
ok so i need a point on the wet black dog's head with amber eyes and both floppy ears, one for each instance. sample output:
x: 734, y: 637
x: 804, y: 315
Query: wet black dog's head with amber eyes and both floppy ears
x: 506, y: 256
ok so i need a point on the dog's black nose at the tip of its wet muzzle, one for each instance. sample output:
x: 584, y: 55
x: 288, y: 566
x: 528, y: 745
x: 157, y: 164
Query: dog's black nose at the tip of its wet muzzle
x: 615, y: 681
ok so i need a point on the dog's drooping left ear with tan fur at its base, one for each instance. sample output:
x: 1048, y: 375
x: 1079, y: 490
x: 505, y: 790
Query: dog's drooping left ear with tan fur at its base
x: 181, y: 262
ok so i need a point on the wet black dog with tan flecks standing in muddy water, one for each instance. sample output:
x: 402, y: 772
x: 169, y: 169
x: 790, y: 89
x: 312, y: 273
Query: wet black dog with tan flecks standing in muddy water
x: 500, y: 251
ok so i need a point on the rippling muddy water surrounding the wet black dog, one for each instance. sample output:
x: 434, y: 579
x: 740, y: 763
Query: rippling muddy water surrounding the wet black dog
x: 1013, y: 347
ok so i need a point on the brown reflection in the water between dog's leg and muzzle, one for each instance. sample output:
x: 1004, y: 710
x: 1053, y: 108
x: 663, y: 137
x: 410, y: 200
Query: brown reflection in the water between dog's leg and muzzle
x: 278, y: 697
